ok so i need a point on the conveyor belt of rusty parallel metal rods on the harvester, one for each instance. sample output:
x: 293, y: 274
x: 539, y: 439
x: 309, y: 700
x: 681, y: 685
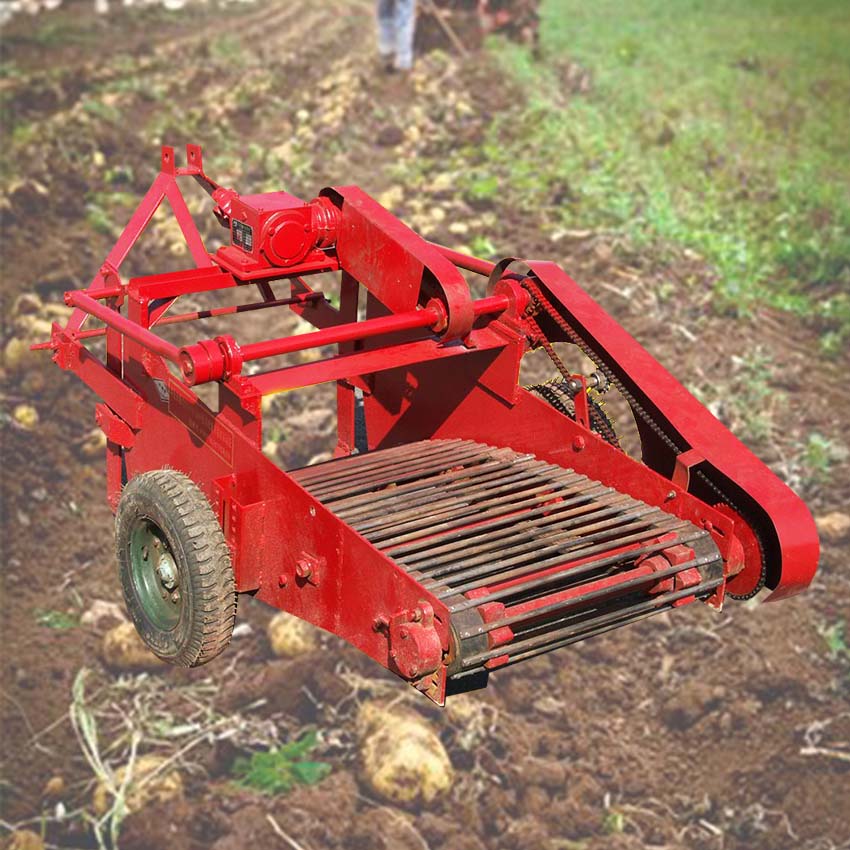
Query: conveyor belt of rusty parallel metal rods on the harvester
x: 528, y: 556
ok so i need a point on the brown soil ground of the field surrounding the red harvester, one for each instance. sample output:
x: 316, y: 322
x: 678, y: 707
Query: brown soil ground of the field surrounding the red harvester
x: 699, y: 730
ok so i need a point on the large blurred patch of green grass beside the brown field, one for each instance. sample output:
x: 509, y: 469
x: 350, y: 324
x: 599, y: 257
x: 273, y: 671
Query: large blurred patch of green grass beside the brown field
x: 718, y: 126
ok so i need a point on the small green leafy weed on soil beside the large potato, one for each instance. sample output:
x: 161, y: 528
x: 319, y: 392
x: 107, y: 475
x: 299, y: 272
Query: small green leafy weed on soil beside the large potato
x: 278, y: 771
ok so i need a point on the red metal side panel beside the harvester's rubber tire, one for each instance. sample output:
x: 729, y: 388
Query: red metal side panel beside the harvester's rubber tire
x: 287, y: 548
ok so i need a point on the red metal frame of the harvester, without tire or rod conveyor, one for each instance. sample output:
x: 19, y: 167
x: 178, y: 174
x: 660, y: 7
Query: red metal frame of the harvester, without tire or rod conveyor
x: 431, y: 362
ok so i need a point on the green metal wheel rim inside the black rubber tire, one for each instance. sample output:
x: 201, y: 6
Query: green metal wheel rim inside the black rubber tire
x: 155, y: 575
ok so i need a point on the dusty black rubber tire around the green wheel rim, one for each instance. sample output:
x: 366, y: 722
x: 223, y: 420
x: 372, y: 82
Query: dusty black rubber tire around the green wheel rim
x: 173, y: 502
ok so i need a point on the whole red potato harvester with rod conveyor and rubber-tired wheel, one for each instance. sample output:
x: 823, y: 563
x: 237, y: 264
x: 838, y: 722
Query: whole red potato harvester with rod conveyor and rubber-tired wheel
x: 465, y: 522
